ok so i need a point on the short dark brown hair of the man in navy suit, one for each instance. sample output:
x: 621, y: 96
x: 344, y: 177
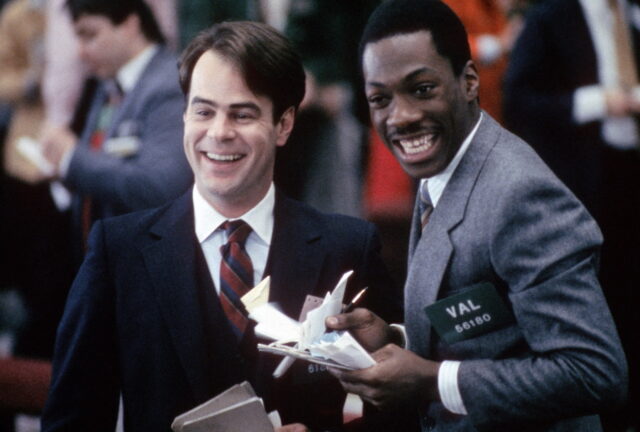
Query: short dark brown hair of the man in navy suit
x: 269, y: 64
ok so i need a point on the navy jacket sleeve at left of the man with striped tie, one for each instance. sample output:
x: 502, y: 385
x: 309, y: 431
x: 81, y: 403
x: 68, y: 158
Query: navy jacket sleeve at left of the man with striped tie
x: 85, y: 384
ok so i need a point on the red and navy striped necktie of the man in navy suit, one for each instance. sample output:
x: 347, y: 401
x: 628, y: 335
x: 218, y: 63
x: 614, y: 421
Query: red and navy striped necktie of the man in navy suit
x: 236, y: 274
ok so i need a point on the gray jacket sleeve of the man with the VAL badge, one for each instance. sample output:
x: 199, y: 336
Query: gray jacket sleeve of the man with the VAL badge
x: 545, y: 246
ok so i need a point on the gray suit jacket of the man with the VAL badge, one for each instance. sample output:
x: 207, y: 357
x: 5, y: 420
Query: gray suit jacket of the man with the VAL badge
x: 504, y: 218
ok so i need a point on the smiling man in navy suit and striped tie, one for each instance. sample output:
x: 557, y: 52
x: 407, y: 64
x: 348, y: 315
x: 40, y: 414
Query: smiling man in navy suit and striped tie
x: 149, y: 314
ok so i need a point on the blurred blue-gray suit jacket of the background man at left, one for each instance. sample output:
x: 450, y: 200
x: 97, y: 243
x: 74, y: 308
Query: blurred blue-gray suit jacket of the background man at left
x: 150, y: 116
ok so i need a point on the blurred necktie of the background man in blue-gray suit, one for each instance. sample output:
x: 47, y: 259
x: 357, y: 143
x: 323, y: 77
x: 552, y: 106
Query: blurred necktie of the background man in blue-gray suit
x: 113, y: 98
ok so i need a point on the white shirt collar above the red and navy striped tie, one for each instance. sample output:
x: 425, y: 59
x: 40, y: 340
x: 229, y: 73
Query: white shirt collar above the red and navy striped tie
x: 260, y: 218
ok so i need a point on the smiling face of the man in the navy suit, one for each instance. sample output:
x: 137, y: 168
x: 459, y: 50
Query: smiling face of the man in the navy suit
x: 230, y: 138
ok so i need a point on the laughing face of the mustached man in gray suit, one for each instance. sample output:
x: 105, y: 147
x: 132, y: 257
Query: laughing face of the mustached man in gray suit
x: 420, y: 109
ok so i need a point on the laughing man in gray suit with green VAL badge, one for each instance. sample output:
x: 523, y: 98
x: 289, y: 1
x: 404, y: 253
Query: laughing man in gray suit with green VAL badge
x: 506, y: 325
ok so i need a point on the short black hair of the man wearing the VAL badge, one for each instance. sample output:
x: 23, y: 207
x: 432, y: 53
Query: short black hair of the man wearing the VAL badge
x: 395, y: 17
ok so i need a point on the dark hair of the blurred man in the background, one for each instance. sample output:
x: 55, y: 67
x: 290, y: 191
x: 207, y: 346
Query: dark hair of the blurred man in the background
x: 117, y: 11
